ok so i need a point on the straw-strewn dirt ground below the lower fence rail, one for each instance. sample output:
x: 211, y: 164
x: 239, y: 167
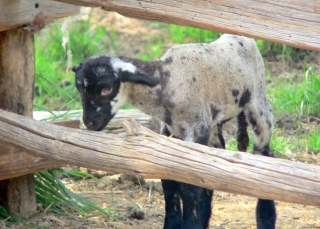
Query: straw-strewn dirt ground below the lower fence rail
x: 142, y: 207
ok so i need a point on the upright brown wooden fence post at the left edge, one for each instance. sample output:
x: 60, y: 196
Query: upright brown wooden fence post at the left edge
x: 16, y: 95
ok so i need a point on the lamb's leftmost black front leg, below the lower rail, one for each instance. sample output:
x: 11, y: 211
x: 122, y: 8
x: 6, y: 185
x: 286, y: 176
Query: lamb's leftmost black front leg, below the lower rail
x: 173, y: 218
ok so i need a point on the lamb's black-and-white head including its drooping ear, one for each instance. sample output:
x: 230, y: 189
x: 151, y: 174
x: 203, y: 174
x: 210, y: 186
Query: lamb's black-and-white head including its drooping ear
x: 99, y: 80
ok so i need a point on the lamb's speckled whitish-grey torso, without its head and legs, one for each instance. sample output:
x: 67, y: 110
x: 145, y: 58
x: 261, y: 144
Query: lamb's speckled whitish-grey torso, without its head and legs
x: 204, y: 84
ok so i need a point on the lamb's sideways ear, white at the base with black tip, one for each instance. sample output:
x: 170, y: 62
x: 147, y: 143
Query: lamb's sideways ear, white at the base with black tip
x: 127, y: 72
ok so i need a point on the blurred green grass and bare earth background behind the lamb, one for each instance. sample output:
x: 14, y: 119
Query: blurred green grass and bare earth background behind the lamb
x: 292, y: 74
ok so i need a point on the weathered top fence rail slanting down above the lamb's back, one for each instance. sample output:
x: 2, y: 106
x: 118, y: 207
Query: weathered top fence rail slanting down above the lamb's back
x: 292, y: 22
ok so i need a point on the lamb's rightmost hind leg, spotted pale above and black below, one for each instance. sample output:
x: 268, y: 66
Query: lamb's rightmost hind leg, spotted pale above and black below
x: 262, y: 126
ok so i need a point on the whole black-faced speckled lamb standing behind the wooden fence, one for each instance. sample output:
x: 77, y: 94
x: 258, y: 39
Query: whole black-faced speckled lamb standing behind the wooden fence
x: 194, y: 88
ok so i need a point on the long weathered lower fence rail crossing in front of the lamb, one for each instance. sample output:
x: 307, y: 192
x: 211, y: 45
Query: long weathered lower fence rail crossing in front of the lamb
x: 144, y: 153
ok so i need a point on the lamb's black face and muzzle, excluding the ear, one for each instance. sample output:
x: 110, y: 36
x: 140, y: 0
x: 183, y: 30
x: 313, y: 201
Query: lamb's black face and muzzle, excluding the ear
x: 98, y: 86
